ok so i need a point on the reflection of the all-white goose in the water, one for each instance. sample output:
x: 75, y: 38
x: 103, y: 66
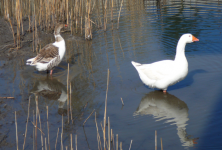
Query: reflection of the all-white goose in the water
x: 166, y: 106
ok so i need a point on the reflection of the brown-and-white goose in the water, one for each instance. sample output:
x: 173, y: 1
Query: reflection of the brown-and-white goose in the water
x: 51, y: 89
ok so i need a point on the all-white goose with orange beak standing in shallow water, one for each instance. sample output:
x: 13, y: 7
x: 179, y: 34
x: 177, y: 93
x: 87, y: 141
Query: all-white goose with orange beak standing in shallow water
x: 164, y: 73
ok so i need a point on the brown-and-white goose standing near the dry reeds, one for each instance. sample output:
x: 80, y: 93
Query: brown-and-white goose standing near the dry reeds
x: 50, y: 55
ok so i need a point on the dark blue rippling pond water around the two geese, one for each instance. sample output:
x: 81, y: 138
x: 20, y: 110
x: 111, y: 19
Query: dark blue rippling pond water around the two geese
x: 187, y: 117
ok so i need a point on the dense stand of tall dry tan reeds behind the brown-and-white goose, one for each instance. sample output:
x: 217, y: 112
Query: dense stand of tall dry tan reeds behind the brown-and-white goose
x: 80, y: 15
